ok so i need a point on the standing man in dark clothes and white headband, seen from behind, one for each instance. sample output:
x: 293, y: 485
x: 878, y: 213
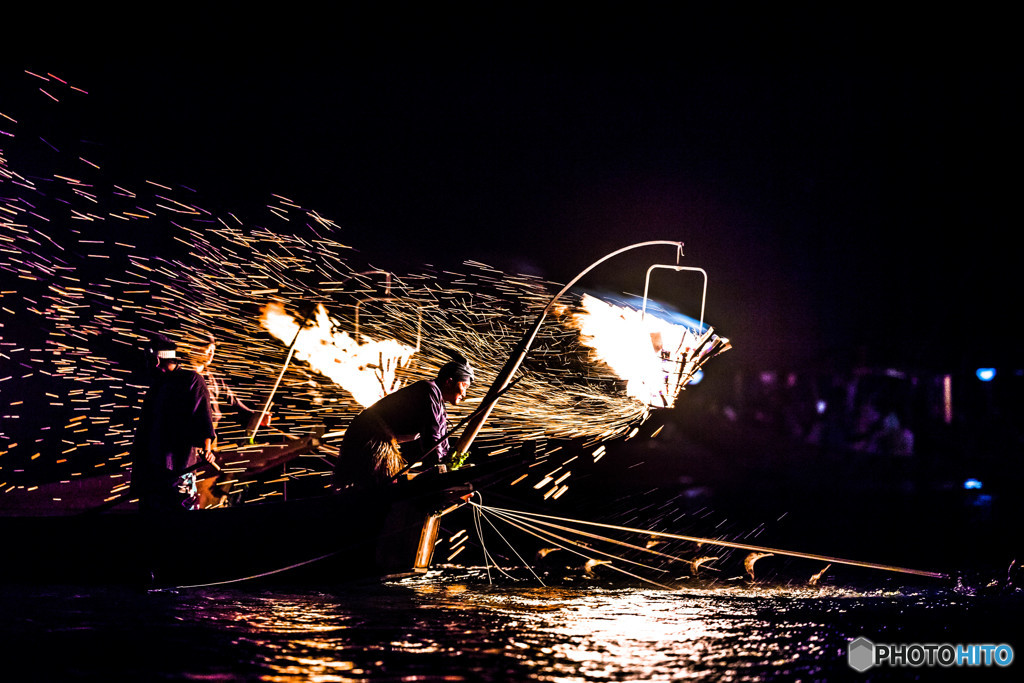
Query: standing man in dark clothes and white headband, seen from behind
x: 175, y: 433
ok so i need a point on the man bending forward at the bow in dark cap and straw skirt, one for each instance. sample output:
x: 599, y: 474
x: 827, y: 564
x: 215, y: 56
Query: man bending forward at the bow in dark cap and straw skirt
x: 410, y: 425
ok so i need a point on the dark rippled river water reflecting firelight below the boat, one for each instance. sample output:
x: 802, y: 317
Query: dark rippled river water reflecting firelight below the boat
x: 453, y: 625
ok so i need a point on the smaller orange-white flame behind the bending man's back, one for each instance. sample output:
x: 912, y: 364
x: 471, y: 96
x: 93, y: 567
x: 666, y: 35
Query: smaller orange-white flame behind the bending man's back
x: 363, y: 367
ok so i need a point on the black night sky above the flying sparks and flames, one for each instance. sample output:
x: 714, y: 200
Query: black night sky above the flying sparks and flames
x: 847, y: 183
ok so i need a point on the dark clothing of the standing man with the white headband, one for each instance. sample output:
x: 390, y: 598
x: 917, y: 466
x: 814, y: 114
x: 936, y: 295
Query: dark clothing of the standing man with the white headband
x: 177, y: 420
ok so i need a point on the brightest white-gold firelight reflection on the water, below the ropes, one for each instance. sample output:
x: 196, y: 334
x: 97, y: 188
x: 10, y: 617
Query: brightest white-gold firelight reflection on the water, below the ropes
x: 593, y: 635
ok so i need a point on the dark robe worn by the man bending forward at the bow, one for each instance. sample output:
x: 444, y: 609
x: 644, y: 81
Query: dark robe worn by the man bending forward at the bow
x: 413, y: 418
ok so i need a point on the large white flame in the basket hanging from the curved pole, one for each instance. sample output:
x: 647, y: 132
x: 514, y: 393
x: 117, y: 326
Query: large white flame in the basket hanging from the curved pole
x: 655, y: 357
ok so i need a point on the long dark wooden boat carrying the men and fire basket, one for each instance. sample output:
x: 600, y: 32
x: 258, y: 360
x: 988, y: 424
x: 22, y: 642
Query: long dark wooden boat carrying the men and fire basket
x: 333, y: 538
